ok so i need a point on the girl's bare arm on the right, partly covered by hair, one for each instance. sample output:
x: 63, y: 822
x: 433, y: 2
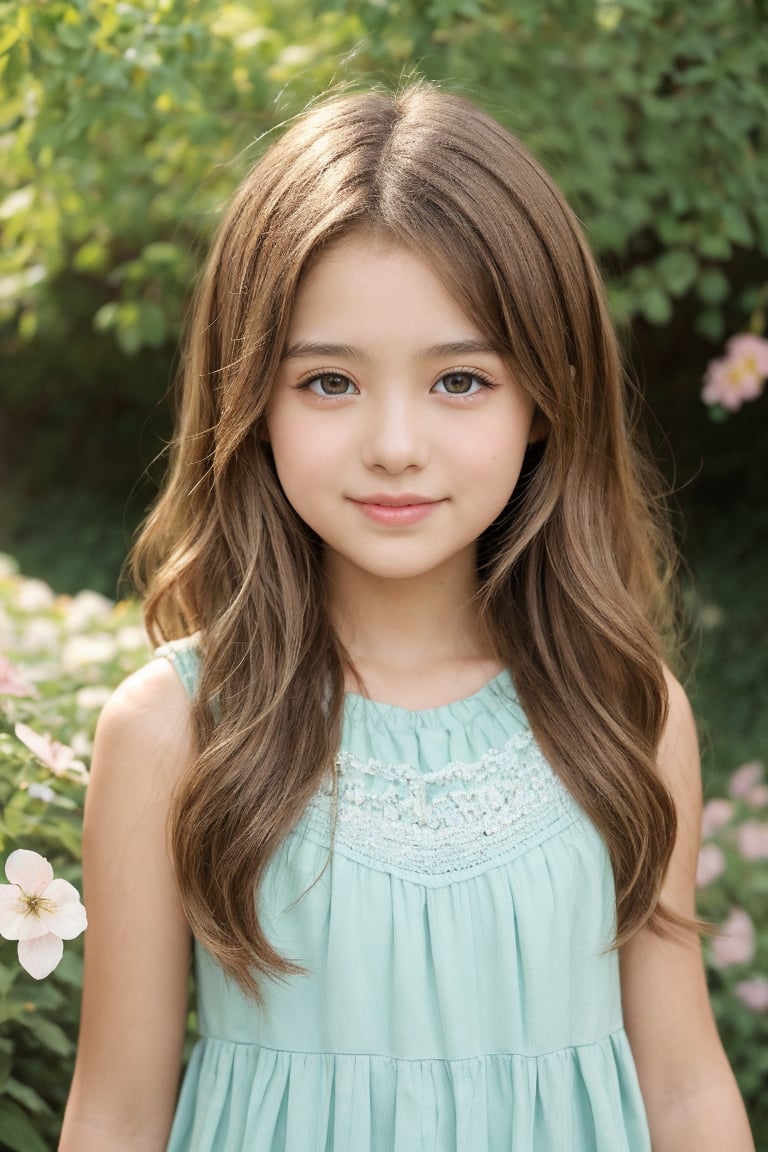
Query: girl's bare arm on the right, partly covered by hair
x: 690, y: 1094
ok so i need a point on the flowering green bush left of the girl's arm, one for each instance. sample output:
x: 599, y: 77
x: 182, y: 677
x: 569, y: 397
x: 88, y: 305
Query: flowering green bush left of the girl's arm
x: 96, y: 645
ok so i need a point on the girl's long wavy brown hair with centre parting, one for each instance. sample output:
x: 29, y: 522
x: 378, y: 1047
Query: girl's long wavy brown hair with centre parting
x: 574, y: 577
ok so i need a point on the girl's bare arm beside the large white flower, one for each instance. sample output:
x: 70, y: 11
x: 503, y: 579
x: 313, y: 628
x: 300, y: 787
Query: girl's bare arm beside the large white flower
x: 138, y: 945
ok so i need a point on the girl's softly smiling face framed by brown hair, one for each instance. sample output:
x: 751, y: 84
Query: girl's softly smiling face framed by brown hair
x: 398, y: 433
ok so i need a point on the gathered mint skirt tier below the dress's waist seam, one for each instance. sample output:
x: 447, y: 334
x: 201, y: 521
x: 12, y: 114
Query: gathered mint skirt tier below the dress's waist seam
x: 241, y: 1097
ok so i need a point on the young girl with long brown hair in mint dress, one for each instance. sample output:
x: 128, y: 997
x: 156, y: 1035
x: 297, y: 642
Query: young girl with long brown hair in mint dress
x: 410, y: 770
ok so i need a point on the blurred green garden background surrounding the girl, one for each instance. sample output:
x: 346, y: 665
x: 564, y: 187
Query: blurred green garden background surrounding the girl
x: 124, y: 128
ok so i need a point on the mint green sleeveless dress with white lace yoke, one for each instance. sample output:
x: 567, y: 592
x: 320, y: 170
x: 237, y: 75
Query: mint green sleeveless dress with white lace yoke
x: 460, y: 992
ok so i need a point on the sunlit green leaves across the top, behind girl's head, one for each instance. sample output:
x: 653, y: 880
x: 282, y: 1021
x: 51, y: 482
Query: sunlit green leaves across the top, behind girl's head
x: 127, y: 125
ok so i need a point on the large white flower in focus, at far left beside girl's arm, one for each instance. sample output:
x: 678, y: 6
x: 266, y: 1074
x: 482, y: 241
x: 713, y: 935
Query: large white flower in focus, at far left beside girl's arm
x: 39, y: 912
